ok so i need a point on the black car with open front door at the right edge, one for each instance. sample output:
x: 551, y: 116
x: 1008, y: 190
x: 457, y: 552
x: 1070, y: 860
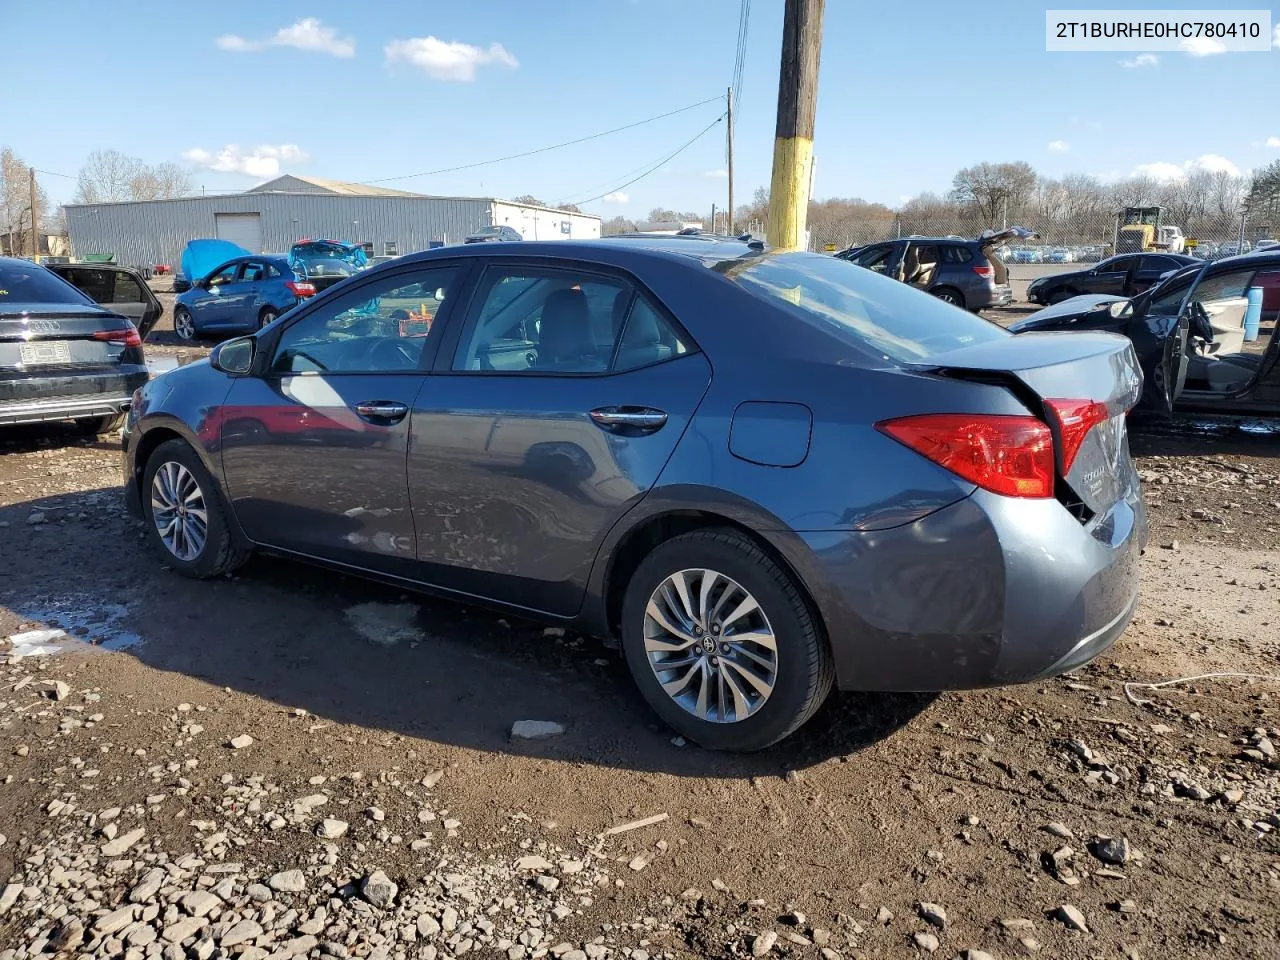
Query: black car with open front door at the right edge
x: 1206, y: 336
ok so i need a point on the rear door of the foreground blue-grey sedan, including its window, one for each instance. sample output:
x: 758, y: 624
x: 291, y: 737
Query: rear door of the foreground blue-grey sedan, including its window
x: 556, y: 403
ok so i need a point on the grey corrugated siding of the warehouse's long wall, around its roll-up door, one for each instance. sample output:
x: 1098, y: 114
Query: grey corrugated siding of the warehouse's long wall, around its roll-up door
x: 157, y: 231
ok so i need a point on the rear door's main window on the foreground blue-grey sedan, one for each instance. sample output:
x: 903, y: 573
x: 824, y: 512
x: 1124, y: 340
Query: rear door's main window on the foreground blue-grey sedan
x: 550, y: 322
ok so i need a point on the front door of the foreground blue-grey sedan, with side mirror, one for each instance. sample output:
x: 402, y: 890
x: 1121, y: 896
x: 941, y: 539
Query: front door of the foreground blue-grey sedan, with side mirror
x: 314, y: 445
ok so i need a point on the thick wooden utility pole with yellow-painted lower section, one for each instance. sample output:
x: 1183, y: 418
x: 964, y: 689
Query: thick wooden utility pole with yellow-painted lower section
x: 793, y: 136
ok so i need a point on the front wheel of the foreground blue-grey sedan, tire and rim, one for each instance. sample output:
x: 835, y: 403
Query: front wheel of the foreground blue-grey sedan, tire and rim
x: 185, y: 513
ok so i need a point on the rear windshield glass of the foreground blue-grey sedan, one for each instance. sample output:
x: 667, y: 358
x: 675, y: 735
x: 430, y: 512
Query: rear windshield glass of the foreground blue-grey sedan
x: 884, y: 316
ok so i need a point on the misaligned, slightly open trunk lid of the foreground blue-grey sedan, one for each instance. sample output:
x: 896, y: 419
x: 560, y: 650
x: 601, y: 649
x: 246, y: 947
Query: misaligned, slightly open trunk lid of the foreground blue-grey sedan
x: 1082, y: 386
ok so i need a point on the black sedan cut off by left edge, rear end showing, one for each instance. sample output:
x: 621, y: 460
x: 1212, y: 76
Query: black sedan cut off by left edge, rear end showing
x: 62, y: 355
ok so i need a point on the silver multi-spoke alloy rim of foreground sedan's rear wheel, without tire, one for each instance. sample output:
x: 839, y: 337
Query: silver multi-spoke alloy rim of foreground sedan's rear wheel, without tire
x: 711, y: 646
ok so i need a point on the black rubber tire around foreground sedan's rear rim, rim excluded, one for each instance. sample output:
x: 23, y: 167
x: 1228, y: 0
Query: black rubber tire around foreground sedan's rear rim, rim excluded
x: 806, y: 673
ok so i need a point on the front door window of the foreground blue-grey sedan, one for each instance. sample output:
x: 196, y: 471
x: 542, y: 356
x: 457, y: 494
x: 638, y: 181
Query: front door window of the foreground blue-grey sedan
x: 380, y: 328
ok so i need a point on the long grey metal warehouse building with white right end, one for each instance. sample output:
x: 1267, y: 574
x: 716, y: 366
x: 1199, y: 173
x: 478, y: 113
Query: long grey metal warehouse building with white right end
x: 272, y: 217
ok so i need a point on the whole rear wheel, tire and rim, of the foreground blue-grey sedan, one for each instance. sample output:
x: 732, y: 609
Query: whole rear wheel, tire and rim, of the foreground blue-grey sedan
x: 723, y: 644
